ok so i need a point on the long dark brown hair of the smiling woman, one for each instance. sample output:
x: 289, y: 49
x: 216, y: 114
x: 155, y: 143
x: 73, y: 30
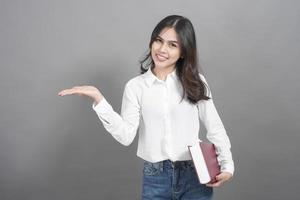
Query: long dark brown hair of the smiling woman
x: 194, y: 89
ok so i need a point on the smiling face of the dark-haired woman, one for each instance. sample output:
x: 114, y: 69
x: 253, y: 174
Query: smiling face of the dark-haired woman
x: 165, y: 49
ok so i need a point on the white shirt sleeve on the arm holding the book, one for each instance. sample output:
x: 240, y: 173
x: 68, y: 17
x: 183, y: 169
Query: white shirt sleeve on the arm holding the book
x: 216, y: 132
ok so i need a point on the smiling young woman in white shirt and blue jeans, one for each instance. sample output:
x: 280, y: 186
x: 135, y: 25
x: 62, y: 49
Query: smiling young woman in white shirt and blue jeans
x: 164, y: 105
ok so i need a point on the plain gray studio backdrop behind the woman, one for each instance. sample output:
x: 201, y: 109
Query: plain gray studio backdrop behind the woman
x: 55, y: 147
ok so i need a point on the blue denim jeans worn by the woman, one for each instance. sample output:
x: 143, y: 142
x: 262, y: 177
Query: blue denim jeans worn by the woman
x: 173, y: 181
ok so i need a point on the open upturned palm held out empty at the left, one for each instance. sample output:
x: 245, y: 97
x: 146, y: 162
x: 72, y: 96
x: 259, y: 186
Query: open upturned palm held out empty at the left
x: 86, y: 90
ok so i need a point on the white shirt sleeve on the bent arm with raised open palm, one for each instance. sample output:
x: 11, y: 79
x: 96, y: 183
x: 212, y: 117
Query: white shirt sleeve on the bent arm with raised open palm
x: 122, y: 127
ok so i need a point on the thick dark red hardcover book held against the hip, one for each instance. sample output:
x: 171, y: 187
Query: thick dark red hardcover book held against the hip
x: 205, y: 161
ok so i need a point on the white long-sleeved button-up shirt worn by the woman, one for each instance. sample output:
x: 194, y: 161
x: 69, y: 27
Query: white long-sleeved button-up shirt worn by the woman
x: 166, y: 127
